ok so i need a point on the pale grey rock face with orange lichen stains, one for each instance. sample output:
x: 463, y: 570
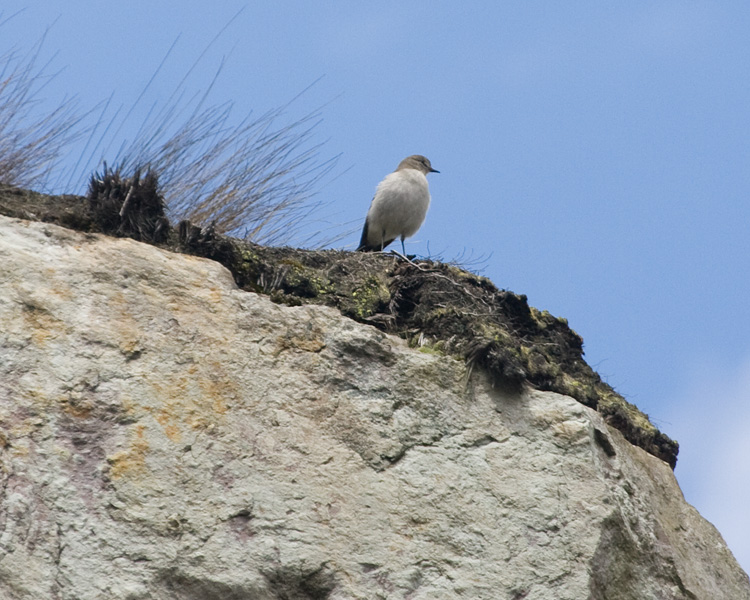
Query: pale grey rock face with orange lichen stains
x: 166, y: 435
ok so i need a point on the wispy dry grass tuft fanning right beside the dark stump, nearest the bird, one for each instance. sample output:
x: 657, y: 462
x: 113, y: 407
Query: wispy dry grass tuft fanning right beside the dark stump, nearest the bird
x: 254, y: 180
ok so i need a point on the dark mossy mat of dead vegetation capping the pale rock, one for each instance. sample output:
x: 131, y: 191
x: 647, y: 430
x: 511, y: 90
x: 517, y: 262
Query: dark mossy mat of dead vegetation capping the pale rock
x: 433, y: 305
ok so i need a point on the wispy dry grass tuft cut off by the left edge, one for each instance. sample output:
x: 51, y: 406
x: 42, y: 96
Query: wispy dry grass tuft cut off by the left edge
x: 31, y: 145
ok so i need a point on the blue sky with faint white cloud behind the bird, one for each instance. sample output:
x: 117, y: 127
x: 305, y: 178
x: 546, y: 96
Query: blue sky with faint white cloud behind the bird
x: 597, y: 153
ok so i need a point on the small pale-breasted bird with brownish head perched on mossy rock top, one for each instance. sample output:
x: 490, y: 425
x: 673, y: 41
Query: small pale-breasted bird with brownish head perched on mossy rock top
x: 399, y: 206
